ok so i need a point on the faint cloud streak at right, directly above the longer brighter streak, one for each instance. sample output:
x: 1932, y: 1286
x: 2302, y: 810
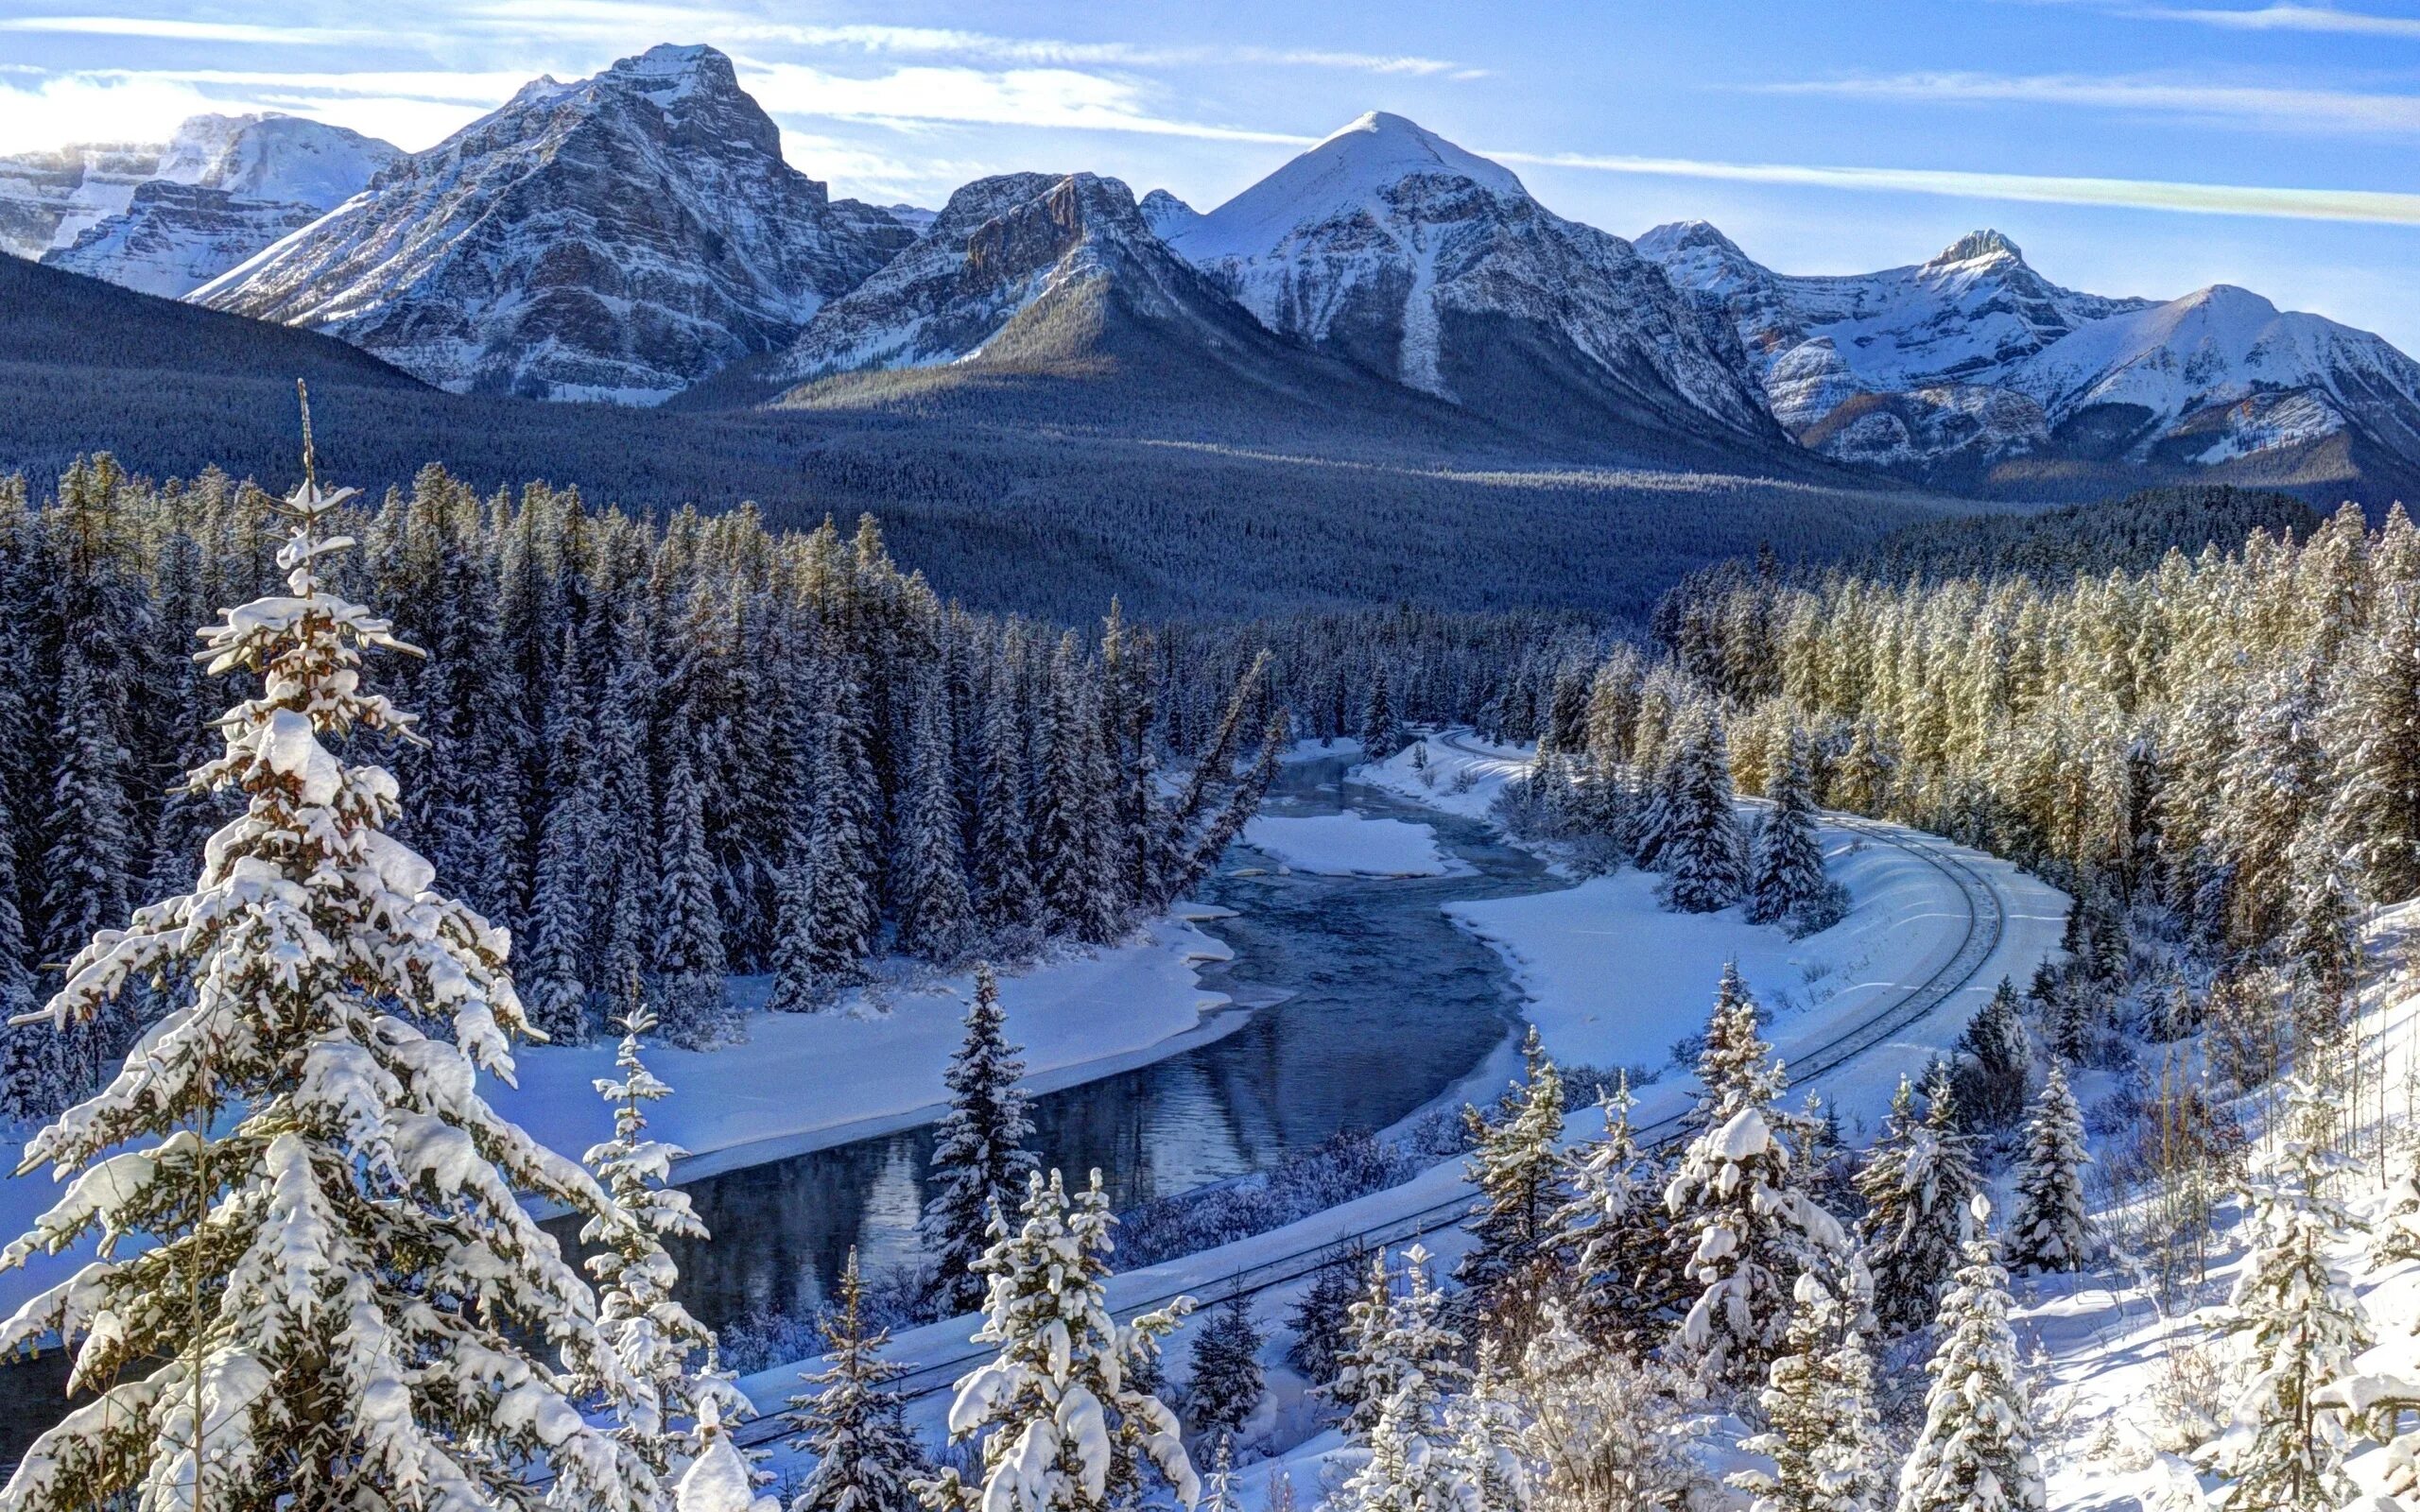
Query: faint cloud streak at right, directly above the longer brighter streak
x: 2269, y: 108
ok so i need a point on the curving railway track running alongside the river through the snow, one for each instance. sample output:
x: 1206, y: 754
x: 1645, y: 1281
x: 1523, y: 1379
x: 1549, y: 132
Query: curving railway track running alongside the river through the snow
x: 1983, y: 935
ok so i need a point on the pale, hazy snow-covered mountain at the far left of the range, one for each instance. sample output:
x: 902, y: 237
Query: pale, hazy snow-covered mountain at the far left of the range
x: 219, y: 192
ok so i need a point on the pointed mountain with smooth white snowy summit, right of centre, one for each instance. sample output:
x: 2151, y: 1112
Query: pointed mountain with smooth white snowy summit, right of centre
x: 1431, y: 265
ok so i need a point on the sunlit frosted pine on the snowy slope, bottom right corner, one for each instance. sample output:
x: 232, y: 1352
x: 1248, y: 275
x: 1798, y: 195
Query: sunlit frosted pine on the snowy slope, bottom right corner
x: 2298, y: 1322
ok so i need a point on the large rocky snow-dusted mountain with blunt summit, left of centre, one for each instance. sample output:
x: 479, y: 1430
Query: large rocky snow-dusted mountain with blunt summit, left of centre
x: 613, y: 238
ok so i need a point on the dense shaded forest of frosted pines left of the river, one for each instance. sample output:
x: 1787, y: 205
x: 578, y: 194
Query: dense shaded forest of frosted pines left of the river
x: 674, y: 751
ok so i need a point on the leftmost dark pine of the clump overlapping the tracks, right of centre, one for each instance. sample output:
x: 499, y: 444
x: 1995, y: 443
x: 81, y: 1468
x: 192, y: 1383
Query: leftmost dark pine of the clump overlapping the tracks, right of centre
x: 1516, y: 1162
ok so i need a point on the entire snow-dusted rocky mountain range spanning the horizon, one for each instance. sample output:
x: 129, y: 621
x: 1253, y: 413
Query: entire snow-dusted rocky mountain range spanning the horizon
x: 640, y: 238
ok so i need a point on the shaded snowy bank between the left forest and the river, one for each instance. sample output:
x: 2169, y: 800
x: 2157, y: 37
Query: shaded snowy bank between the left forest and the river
x: 812, y: 1080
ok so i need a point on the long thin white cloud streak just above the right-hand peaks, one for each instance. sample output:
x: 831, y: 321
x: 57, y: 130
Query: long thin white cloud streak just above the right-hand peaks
x: 2133, y: 195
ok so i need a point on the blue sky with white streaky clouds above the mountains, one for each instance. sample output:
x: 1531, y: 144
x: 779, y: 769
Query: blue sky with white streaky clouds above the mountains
x: 2131, y: 146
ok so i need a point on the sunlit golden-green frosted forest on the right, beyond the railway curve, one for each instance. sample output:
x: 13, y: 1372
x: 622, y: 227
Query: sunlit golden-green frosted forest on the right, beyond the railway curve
x: 2230, y: 737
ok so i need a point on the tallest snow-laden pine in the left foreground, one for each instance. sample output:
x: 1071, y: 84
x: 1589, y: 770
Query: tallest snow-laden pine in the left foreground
x: 352, y: 1320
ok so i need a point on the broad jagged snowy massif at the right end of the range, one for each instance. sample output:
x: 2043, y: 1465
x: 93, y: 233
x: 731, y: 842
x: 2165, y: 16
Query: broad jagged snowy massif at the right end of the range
x: 1976, y: 359
